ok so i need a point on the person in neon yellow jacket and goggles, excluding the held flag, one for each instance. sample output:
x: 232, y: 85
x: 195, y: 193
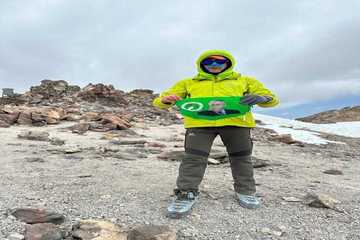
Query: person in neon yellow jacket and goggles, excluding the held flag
x: 216, y: 78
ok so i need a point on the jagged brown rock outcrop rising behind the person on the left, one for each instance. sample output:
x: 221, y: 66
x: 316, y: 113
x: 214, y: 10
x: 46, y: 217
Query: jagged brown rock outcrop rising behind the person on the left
x: 102, y: 107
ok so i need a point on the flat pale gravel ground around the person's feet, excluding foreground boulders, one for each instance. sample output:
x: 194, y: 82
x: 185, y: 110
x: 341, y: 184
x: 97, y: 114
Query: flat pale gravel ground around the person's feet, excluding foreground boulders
x: 126, y: 177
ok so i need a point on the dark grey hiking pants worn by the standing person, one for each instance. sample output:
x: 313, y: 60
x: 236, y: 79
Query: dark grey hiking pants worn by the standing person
x: 198, y: 142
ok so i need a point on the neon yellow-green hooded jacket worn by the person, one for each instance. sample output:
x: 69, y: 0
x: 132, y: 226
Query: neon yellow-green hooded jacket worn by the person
x: 225, y: 84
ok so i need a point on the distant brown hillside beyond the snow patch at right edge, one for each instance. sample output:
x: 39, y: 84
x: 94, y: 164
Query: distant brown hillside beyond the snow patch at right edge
x: 347, y: 114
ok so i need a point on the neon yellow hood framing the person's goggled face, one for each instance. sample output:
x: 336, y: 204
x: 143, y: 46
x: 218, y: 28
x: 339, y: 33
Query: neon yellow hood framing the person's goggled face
x: 226, y: 74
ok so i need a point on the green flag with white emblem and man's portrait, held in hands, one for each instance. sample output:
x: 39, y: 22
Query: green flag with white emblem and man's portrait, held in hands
x: 212, y: 108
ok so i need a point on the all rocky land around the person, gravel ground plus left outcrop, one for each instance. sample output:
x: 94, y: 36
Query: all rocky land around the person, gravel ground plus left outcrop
x: 99, y: 163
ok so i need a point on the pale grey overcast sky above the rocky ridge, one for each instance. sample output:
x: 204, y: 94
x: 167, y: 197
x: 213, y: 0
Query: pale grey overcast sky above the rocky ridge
x: 305, y: 51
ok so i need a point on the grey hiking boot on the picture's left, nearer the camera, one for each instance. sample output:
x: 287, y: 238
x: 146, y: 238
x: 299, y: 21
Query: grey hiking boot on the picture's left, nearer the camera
x: 182, y: 204
